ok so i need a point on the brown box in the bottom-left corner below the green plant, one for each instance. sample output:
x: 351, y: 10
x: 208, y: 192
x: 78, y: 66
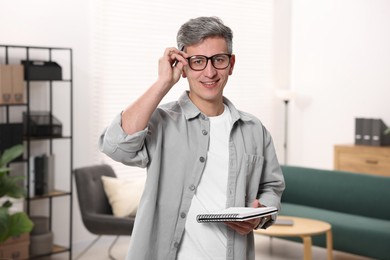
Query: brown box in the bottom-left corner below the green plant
x: 15, y: 248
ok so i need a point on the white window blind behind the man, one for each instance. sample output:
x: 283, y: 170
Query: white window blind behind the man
x: 128, y: 38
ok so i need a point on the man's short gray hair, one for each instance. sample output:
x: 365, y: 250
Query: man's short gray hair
x: 196, y: 30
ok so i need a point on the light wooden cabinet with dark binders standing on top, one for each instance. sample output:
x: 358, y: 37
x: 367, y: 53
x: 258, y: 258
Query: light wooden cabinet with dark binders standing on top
x: 362, y: 159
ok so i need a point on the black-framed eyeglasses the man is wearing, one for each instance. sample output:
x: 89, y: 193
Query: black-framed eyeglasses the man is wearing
x: 219, y: 61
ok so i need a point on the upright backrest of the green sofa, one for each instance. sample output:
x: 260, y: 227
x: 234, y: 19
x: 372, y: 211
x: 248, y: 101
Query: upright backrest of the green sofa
x: 358, y: 194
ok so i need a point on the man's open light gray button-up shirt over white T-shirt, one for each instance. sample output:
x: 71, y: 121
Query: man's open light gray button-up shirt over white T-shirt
x: 174, y: 147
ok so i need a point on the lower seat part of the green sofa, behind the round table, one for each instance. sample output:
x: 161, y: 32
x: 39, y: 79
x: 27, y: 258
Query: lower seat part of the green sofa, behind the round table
x: 351, y: 233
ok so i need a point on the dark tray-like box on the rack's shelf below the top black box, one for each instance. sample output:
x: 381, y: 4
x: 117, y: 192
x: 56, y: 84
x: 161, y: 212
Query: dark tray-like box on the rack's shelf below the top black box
x: 41, y: 123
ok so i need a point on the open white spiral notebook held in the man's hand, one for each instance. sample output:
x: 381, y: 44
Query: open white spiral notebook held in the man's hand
x: 236, y: 214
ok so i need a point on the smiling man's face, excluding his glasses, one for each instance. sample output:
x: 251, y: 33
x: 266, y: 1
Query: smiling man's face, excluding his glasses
x: 207, y: 85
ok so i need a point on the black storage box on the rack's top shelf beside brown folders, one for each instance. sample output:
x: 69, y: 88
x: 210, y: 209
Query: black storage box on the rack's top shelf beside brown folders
x: 41, y: 70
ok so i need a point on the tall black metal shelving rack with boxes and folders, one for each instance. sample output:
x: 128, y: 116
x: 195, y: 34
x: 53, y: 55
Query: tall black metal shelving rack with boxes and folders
x: 53, y: 96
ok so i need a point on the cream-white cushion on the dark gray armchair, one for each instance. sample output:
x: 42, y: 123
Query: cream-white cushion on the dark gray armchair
x: 123, y: 194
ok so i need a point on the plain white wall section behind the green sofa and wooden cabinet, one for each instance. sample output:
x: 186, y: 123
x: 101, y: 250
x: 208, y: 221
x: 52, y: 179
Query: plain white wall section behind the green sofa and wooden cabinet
x: 340, y: 70
